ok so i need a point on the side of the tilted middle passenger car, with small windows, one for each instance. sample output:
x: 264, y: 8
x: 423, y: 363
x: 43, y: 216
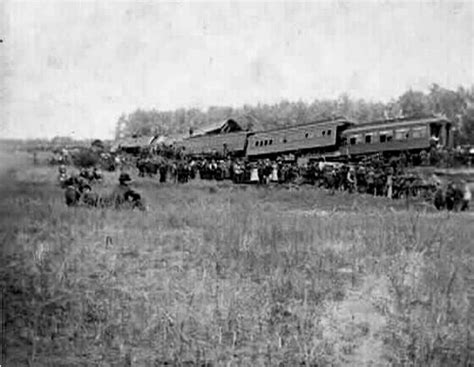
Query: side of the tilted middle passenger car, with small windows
x: 292, y: 139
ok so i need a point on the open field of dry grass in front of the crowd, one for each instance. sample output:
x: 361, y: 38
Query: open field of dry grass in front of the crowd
x: 224, y: 275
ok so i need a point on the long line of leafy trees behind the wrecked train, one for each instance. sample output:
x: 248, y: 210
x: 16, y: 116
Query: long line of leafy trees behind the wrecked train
x: 457, y: 105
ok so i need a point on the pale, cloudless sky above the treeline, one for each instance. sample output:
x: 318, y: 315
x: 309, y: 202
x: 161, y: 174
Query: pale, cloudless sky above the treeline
x: 71, y: 68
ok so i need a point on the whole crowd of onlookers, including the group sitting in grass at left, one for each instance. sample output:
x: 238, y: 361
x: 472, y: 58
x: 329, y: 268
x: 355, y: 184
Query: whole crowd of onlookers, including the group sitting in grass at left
x: 375, y: 176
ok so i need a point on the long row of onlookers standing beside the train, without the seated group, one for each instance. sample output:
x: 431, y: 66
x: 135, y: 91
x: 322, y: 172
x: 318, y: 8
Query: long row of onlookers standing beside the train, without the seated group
x: 374, y: 176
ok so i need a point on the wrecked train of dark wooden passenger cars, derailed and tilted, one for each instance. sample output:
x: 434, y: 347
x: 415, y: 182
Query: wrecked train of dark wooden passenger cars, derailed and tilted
x: 336, y: 138
